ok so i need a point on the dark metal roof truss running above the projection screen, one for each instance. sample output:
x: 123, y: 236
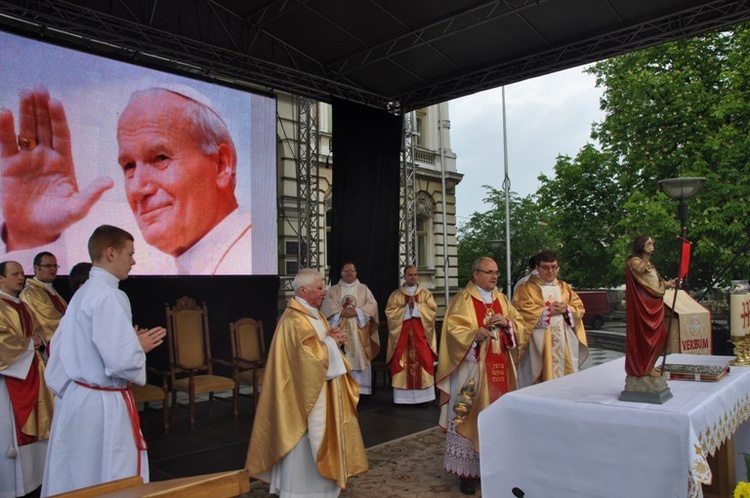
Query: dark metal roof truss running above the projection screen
x: 135, y: 41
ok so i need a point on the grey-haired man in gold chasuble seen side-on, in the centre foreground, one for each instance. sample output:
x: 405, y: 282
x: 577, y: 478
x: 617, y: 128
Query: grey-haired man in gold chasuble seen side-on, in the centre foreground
x: 306, y: 439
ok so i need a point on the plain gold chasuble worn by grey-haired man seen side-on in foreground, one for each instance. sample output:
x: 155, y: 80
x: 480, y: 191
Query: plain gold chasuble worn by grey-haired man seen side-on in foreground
x: 294, y: 378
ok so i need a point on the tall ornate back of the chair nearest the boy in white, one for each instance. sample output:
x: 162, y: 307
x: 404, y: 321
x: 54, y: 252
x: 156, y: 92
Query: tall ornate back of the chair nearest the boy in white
x: 187, y: 330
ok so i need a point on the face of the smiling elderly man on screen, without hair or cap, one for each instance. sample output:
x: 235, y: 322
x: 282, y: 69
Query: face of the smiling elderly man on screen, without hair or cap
x: 172, y: 186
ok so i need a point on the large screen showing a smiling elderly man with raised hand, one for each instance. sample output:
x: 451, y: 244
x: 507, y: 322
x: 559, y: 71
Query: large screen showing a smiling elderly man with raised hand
x: 170, y: 170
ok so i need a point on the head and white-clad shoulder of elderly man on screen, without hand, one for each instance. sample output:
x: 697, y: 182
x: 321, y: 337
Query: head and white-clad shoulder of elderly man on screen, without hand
x: 180, y: 169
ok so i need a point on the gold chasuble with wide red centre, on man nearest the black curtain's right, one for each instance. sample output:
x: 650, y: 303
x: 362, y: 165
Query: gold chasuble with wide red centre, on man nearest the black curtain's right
x: 412, y: 346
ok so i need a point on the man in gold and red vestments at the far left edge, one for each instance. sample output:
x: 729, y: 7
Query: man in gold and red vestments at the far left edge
x: 25, y: 402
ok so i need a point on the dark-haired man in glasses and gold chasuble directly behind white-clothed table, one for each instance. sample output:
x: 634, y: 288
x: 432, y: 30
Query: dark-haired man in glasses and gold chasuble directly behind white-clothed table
x: 555, y: 342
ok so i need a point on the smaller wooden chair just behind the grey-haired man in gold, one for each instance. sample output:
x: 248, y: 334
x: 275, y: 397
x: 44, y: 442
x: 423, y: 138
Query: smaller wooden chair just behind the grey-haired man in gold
x: 248, y: 354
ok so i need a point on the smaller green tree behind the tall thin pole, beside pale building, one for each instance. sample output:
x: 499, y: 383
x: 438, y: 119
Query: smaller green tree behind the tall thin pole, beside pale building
x: 528, y: 234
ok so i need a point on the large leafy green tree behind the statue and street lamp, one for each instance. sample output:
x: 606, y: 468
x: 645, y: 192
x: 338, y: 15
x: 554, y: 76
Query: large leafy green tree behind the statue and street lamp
x: 677, y: 109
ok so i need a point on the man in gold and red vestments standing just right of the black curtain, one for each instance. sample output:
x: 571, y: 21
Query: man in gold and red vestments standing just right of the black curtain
x: 412, y: 346
